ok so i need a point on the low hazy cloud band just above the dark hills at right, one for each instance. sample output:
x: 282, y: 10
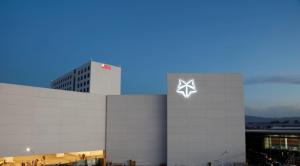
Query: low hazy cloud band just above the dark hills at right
x: 274, y: 111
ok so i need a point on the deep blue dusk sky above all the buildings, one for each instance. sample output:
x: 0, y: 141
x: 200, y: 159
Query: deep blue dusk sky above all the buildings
x: 40, y: 40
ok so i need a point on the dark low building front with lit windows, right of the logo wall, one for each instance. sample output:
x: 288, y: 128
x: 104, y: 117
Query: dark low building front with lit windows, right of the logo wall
x: 277, y: 146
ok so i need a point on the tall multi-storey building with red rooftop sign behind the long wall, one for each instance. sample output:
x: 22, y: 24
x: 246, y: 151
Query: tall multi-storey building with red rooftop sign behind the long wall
x: 93, y: 77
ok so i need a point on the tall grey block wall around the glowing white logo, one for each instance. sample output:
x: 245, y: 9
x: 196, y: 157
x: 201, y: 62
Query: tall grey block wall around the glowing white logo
x: 209, y: 126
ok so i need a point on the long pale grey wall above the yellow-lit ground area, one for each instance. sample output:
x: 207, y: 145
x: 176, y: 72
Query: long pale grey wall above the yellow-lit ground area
x: 50, y: 121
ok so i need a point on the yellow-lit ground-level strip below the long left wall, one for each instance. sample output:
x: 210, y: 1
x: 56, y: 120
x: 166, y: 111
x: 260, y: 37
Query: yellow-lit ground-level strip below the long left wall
x: 69, y: 158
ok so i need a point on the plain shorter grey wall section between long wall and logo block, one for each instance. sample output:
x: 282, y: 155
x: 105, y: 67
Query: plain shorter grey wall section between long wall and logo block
x: 136, y: 129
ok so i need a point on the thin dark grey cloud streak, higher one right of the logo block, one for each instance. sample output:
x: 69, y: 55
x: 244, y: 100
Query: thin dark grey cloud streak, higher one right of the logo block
x: 292, y: 79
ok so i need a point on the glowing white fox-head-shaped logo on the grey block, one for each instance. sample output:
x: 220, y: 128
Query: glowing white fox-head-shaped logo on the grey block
x: 186, y: 88
